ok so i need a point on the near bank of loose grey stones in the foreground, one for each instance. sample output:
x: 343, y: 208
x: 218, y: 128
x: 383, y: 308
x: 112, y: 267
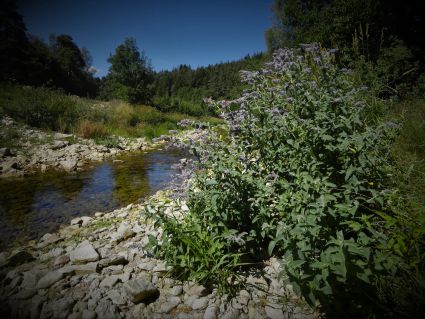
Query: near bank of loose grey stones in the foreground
x: 101, y: 267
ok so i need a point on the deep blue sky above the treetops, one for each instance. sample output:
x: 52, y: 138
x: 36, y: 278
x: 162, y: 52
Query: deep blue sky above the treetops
x: 170, y: 32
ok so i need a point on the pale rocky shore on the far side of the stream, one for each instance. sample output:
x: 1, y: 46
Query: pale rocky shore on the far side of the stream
x: 36, y: 150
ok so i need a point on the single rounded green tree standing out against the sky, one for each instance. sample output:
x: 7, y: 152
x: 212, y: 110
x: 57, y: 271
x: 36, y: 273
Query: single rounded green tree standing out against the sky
x: 130, y: 74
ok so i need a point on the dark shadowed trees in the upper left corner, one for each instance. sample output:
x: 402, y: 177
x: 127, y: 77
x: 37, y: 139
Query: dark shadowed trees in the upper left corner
x: 27, y: 60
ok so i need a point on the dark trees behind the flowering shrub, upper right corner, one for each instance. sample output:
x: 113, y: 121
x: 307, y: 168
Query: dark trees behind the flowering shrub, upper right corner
x: 383, y: 39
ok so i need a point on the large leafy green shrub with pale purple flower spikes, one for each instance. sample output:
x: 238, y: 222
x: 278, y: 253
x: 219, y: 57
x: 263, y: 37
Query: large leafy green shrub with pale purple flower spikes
x: 304, y: 174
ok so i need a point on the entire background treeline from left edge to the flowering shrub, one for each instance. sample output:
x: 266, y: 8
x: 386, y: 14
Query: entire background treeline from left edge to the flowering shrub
x: 61, y: 64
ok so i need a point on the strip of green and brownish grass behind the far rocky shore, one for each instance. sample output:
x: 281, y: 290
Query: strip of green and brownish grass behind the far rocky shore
x: 53, y: 110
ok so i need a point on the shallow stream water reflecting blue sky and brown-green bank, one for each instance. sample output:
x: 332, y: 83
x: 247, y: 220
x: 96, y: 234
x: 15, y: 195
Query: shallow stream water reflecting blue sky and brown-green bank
x: 35, y: 205
